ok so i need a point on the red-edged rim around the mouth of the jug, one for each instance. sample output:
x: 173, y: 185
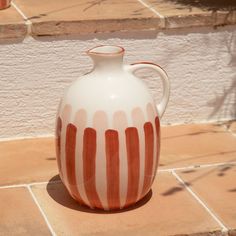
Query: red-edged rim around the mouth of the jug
x: 106, y: 50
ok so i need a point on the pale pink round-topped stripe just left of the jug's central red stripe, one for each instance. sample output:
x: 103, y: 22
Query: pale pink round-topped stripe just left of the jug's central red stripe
x: 100, y: 124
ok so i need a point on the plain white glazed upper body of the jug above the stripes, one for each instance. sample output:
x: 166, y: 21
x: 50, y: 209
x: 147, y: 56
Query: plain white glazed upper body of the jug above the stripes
x: 109, y: 87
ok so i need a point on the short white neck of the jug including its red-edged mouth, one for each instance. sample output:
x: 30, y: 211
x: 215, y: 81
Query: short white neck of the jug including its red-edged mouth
x: 107, y: 58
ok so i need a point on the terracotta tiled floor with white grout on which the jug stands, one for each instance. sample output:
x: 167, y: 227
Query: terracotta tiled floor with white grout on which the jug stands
x: 194, y: 192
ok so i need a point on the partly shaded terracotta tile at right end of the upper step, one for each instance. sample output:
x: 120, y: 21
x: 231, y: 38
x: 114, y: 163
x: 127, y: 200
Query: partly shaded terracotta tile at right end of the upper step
x: 194, y: 13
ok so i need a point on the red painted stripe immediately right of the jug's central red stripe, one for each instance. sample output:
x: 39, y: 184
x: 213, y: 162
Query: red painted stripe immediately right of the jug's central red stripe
x: 132, y: 148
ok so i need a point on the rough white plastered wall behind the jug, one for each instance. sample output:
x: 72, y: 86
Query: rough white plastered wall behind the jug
x: 200, y: 62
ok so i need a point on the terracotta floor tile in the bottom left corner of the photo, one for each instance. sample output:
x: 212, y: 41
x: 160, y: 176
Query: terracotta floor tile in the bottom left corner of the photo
x: 19, y: 215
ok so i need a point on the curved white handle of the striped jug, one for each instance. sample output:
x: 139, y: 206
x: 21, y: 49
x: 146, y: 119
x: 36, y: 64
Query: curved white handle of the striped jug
x: 161, y: 107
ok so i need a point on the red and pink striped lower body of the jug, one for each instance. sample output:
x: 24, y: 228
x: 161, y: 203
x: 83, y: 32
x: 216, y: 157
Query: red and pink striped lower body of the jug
x: 127, y: 157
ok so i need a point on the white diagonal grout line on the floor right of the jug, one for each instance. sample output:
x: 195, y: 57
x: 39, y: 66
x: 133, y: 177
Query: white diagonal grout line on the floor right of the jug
x: 195, y: 196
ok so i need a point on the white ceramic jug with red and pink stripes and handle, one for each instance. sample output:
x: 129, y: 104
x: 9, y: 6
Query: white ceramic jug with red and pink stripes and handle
x: 108, y: 132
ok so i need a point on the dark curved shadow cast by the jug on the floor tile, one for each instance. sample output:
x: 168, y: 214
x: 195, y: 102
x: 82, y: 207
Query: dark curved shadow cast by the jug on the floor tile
x: 58, y: 192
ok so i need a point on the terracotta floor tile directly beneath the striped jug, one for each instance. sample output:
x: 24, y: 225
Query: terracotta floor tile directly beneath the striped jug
x: 171, y: 210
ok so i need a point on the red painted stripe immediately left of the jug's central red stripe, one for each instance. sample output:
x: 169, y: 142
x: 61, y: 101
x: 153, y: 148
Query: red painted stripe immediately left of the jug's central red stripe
x: 89, y: 166
